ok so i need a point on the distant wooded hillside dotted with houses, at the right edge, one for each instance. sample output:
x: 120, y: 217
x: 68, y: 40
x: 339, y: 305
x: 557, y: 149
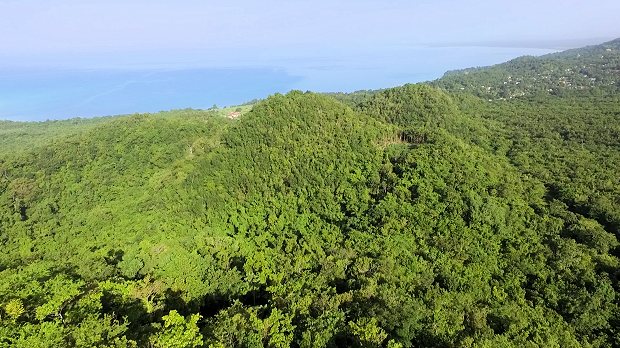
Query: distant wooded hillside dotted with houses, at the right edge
x: 582, y: 71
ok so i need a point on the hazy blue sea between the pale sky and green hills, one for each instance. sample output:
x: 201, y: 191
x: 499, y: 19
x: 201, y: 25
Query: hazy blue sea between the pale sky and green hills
x: 41, y: 93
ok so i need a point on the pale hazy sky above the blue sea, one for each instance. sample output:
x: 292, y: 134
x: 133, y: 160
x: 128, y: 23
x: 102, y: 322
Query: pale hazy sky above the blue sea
x: 40, y: 32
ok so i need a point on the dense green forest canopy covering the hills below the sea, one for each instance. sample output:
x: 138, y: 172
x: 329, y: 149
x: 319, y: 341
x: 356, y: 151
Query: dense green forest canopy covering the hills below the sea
x: 419, y: 216
